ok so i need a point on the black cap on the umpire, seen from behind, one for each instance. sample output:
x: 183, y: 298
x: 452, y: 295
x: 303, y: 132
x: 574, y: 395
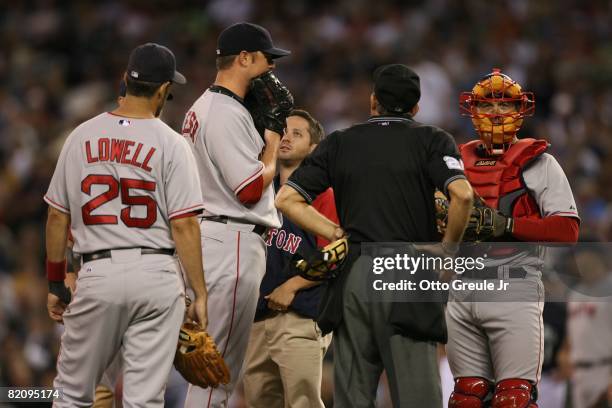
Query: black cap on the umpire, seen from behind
x: 397, y: 87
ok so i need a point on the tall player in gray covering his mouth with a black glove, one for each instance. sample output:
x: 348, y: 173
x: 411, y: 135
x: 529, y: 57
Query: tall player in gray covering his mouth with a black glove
x: 237, y: 167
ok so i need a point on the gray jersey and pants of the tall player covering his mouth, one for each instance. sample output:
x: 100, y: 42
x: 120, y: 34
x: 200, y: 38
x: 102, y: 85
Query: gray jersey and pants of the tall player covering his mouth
x: 227, y: 149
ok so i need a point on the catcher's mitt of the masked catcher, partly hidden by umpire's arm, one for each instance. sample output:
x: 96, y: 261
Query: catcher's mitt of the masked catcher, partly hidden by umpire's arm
x: 484, y: 224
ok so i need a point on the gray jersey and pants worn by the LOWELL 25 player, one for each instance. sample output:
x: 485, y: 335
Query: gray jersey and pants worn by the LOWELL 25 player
x: 122, y: 180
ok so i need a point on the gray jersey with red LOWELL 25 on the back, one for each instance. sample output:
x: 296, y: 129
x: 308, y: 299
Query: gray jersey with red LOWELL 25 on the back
x: 122, y: 180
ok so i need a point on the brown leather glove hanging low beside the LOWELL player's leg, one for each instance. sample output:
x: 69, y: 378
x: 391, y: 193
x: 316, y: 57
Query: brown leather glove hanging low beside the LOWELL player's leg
x: 197, y: 358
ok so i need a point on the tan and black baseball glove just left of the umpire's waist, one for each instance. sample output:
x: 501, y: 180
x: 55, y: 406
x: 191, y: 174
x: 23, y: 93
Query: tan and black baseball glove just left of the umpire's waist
x: 323, y: 264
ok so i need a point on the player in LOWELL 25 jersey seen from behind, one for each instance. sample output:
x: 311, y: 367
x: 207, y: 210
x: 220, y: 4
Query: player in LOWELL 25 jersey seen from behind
x: 127, y: 186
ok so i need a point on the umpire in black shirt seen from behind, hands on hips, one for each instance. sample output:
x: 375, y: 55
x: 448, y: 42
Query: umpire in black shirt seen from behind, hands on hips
x: 384, y: 173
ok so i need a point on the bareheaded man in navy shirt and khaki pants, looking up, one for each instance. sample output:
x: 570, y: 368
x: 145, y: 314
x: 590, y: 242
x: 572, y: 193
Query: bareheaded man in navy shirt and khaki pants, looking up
x: 286, y: 347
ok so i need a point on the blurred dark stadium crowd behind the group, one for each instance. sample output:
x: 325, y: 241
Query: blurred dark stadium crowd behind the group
x: 61, y: 61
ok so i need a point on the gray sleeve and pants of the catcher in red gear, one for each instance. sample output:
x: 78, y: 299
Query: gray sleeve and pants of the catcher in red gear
x: 500, y: 340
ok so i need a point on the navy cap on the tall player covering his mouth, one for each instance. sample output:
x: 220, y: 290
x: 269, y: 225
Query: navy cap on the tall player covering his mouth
x: 247, y: 37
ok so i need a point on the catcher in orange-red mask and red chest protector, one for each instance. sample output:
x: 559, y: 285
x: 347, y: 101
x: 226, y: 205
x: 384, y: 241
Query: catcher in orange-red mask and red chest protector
x: 495, y: 349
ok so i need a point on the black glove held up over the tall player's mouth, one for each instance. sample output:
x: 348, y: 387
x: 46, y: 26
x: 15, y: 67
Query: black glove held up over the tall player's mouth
x: 269, y: 102
